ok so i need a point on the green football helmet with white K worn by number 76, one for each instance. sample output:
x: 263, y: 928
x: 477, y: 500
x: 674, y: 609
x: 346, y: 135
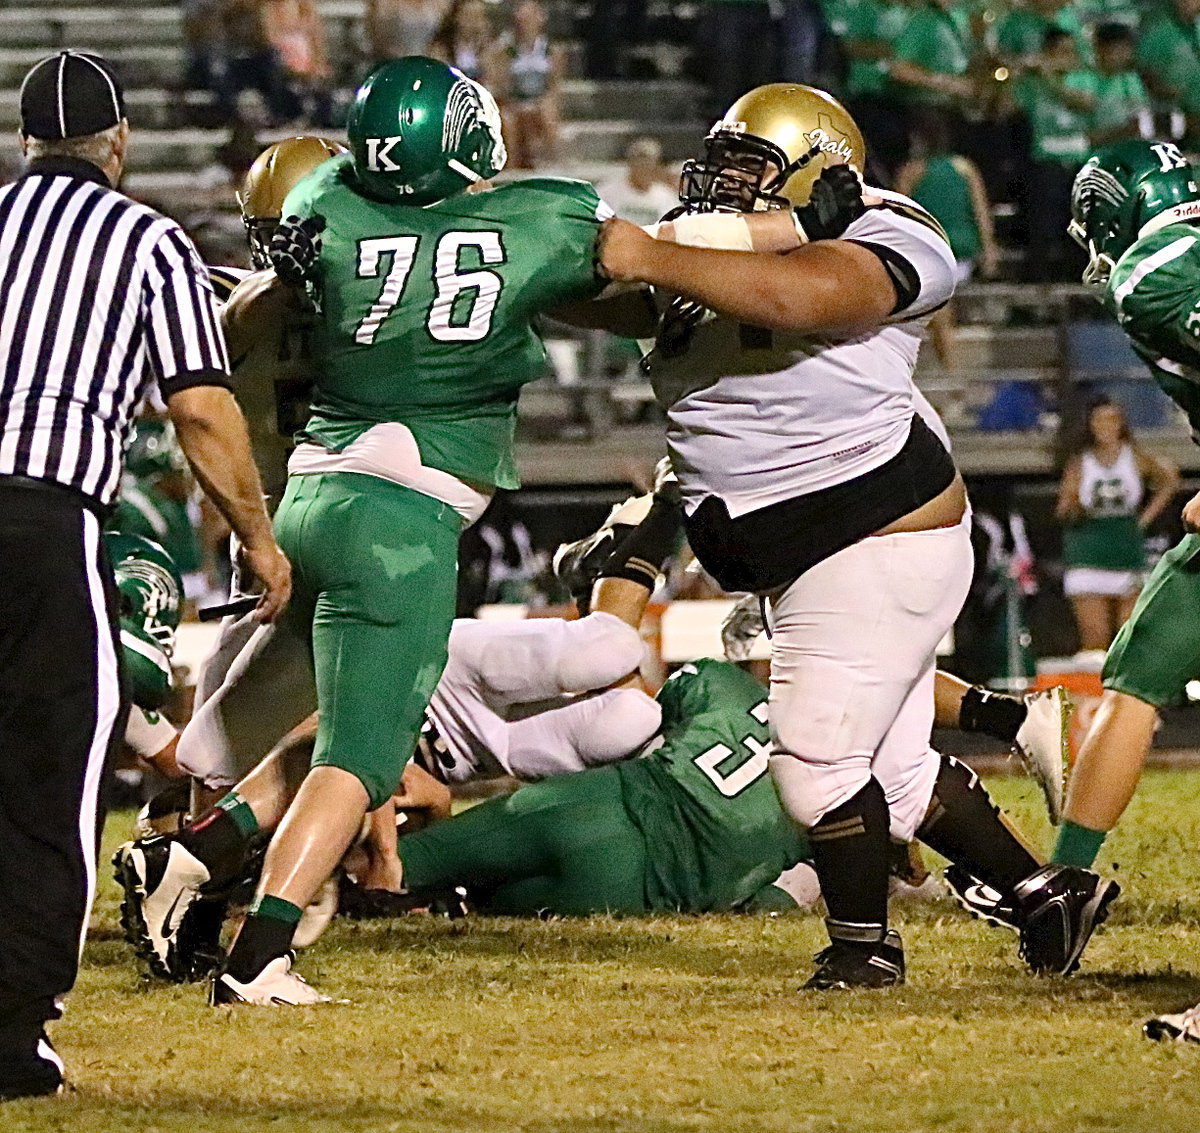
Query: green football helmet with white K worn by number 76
x: 422, y: 131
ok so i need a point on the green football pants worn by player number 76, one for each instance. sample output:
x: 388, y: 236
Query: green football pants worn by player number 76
x: 375, y: 576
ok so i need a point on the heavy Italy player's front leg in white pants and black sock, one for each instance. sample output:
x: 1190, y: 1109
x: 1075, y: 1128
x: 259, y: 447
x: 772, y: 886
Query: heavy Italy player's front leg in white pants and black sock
x: 851, y: 639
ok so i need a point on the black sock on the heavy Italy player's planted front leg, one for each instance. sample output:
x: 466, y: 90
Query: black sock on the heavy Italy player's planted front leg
x: 851, y: 853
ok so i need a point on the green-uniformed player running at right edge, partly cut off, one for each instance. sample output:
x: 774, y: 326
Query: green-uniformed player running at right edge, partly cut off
x: 1136, y: 209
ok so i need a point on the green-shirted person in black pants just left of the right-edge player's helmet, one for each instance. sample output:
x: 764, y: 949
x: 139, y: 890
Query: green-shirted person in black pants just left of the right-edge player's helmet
x: 1059, y: 98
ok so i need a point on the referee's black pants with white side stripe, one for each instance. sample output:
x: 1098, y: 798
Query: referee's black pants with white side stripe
x: 61, y: 709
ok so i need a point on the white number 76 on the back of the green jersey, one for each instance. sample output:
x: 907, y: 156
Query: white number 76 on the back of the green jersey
x: 446, y: 321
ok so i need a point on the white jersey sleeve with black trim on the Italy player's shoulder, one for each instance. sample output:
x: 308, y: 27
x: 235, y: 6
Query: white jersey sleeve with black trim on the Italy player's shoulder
x: 914, y: 249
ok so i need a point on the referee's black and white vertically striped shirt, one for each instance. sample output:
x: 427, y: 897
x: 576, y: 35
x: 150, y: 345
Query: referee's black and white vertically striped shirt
x: 99, y: 297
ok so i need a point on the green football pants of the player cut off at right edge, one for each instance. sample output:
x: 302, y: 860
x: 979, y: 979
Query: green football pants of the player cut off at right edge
x: 1157, y: 652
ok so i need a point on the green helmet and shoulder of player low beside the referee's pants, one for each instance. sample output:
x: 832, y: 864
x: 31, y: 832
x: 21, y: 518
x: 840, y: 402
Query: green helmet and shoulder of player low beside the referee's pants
x: 151, y: 594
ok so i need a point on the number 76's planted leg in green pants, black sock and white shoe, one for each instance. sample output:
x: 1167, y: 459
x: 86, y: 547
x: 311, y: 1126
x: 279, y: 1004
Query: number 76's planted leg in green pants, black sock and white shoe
x: 383, y: 559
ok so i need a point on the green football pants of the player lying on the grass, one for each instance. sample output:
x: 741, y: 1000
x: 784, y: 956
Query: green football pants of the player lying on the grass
x: 566, y: 846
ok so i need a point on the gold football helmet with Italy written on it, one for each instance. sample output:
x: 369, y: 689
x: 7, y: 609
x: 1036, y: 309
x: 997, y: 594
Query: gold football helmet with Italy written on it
x: 770, y: 148
